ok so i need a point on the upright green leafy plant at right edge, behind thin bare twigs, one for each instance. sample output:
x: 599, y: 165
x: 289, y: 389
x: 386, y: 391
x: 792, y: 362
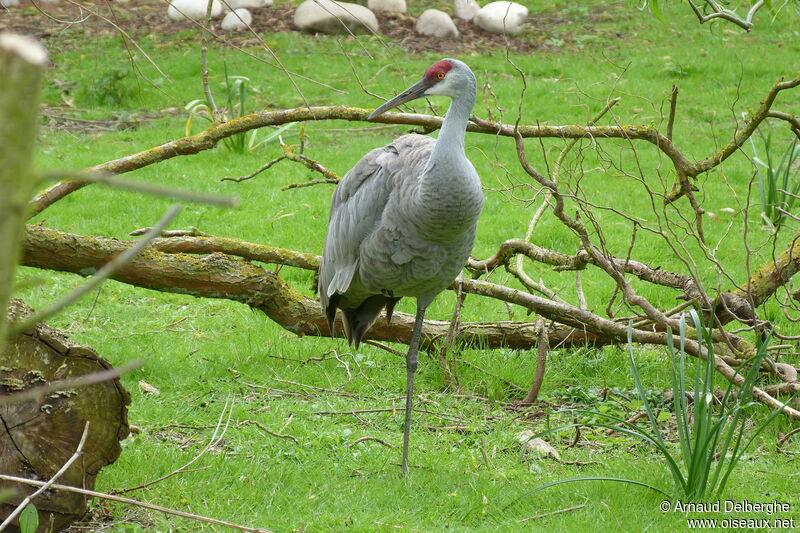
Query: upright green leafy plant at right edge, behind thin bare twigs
x: 778, y: 183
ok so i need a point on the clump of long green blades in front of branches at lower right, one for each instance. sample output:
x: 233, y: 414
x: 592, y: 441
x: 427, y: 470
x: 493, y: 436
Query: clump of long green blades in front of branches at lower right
x: 712, y: 440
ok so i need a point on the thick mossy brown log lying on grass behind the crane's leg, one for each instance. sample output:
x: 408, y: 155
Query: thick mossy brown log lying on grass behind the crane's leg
x: 217, y: 275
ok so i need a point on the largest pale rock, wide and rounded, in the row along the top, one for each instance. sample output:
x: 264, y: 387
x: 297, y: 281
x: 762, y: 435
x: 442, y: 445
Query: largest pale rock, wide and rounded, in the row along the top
x: 329, y: 16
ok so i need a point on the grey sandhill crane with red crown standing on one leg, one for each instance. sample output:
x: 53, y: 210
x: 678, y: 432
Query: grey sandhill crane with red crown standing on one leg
x: 403, y: 220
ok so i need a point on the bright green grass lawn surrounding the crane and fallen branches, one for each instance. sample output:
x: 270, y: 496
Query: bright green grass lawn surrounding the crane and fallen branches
x: 199, y: 353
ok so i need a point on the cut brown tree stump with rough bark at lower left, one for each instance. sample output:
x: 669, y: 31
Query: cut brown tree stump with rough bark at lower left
x: 37, y: 437
